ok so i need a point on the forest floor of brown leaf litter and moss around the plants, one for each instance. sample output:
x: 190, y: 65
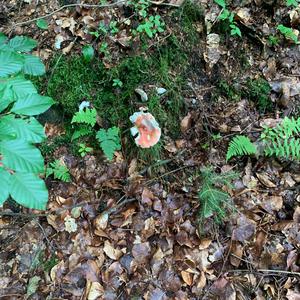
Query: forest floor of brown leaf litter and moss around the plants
x: 132, y: 228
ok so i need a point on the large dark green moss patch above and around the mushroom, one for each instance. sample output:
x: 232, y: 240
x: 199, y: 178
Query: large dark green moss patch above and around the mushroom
x: 71, y: 80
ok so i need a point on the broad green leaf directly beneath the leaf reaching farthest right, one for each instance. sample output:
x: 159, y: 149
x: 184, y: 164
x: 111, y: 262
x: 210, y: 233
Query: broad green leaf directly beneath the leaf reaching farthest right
x: 29, y: 130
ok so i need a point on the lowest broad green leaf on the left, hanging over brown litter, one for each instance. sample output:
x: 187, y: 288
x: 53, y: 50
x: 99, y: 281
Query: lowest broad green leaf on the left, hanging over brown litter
x: 29, y: 190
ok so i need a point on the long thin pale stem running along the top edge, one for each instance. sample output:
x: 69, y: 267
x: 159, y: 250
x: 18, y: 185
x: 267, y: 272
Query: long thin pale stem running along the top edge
x: 87, y: 6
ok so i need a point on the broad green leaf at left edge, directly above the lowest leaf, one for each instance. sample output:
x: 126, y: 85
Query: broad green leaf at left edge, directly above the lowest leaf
x: 19, y: 155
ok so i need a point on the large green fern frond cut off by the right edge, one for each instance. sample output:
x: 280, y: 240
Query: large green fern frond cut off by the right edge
x: 282, y: 141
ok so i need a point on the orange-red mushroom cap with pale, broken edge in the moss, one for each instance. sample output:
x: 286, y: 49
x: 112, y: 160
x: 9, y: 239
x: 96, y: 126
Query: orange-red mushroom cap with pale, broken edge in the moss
x: 146, y: 128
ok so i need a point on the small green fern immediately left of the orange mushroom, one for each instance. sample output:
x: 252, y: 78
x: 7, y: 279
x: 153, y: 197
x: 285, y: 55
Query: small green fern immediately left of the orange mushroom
x: 109, y: 141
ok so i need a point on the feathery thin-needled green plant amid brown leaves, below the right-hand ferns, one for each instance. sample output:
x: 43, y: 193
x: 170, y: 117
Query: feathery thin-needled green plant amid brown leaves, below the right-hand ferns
x: 214, y: 201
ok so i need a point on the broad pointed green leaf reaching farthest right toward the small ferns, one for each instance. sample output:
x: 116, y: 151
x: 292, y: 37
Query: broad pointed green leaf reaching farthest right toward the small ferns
x: 31, y: 105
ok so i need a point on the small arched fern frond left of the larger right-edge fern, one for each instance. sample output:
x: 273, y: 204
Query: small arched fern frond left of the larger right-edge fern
x: 240, y: 145
